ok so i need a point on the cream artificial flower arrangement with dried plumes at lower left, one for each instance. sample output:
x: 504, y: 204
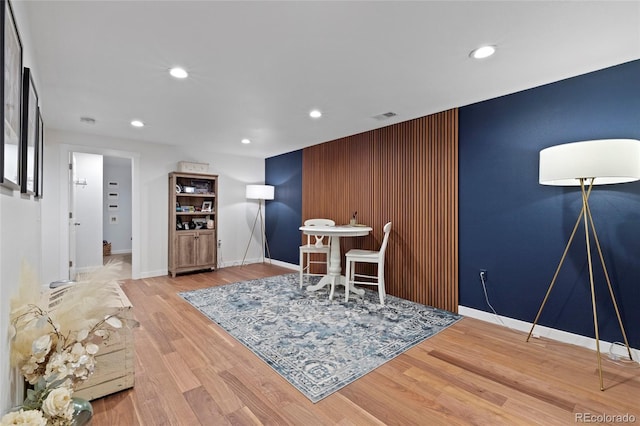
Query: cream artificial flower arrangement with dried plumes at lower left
x: 54, y: 343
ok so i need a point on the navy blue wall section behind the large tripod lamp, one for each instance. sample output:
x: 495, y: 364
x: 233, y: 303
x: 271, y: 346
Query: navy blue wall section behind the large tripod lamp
x: 517, y: 229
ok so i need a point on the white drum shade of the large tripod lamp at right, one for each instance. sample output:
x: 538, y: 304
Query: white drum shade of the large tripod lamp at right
x: 608, y: 161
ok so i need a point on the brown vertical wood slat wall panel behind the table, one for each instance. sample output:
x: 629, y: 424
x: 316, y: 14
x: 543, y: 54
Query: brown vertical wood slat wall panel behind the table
x: 406, y: 173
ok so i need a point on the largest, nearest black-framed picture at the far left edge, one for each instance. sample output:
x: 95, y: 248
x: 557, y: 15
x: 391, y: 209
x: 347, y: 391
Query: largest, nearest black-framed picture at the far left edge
x: 11, y: 63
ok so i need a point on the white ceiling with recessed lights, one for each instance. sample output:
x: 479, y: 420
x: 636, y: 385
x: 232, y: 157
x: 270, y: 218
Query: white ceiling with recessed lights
x: 258, y: 68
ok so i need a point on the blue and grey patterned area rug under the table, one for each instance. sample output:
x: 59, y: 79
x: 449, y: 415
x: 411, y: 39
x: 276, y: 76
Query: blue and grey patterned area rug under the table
x: 318, y: 345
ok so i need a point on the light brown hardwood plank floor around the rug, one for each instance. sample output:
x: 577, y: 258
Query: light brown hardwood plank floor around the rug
x: 190, y: 372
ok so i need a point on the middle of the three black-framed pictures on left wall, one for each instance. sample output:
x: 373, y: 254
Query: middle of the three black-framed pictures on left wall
x: 28, y: 160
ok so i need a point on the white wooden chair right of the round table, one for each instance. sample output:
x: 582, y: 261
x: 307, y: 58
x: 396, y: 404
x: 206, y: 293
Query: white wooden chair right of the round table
x: 354, y: 256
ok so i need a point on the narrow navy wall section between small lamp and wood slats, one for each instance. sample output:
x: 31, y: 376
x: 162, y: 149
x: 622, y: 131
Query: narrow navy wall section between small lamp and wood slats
x: 283, y: 215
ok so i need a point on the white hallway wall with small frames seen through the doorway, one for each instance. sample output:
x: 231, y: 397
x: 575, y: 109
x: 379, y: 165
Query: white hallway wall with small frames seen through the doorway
x: 118, y: 231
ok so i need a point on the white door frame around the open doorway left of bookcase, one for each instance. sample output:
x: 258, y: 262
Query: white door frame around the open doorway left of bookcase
x: 65, y: 151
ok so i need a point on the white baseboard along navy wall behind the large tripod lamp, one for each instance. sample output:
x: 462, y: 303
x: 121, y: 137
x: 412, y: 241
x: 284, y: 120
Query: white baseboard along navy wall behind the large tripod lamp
x: 547, y: 332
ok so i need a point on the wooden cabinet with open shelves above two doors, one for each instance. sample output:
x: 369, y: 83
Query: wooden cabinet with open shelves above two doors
x: 193, y: 222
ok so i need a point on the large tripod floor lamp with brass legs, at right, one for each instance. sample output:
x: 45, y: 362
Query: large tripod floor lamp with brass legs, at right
x: 585, y: 164
